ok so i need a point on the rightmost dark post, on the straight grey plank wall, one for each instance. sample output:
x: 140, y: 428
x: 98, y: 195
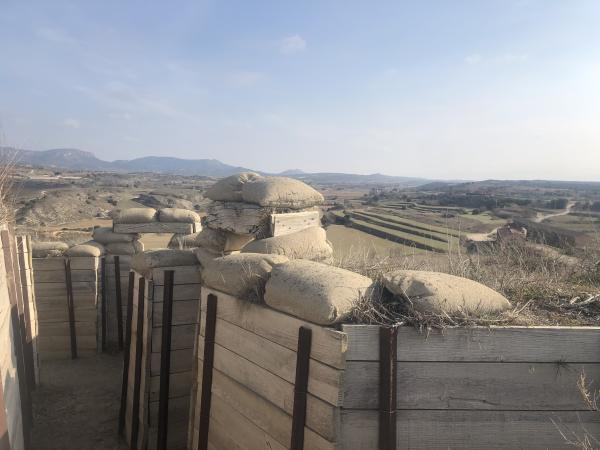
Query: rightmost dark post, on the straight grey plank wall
x: 388, y: 342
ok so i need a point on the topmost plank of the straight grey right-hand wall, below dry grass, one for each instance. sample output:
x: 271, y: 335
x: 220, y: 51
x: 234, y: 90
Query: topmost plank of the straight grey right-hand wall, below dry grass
x: 479, y: 344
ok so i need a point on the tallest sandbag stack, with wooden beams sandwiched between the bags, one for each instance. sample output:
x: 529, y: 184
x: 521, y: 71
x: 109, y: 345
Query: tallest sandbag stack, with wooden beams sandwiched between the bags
x: 242, y: 213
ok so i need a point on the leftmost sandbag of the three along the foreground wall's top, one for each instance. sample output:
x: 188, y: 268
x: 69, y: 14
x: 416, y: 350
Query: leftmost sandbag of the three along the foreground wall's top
x: 242, y: 275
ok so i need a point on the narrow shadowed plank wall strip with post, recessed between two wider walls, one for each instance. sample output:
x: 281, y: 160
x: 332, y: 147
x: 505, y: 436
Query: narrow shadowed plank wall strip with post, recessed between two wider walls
x: 112, y: 337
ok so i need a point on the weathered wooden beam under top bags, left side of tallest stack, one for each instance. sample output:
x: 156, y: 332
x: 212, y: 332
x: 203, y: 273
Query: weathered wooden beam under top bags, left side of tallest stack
x: 239, y: 218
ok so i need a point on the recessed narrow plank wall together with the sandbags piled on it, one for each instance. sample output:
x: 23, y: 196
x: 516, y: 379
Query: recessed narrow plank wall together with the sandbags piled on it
x: 123, y: 245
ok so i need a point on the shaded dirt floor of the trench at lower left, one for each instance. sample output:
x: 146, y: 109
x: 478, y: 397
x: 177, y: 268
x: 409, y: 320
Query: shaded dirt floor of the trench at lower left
x: 76, y: 406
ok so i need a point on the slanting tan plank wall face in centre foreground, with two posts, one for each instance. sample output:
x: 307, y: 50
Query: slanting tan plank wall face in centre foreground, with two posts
x: 253, y: 379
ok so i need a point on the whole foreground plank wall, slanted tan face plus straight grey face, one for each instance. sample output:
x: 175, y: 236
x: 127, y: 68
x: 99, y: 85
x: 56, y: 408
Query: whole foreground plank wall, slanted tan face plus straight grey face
x: 460, y: 388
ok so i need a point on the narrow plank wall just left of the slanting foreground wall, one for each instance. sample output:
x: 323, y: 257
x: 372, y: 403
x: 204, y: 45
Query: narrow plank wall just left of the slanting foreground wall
x: 145, y: 352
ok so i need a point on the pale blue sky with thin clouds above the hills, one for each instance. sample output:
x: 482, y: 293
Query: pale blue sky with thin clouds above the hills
x: 462, y: 89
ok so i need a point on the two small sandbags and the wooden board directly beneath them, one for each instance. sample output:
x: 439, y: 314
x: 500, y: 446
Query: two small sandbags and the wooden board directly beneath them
x: 150, y: 220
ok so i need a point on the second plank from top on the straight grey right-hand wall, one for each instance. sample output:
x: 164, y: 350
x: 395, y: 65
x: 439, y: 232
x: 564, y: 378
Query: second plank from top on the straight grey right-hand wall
x: 468, y: 385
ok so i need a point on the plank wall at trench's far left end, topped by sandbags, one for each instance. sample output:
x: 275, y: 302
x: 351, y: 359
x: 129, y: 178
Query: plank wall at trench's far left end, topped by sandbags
x: 51, y: 288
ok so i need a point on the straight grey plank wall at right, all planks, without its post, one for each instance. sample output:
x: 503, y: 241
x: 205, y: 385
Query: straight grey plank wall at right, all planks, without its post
x: 474, y: 388
